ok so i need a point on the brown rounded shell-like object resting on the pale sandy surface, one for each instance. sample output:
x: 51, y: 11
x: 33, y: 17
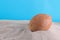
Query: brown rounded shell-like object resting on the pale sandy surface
x: 40, y: 22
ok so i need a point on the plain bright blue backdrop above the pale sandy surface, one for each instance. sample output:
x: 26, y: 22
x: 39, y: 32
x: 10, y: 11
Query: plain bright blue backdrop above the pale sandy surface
x: 26, y: 9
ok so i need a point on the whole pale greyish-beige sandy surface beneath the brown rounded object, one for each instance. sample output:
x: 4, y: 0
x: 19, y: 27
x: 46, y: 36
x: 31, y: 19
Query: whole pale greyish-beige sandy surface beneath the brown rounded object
x: 18, y: 31
